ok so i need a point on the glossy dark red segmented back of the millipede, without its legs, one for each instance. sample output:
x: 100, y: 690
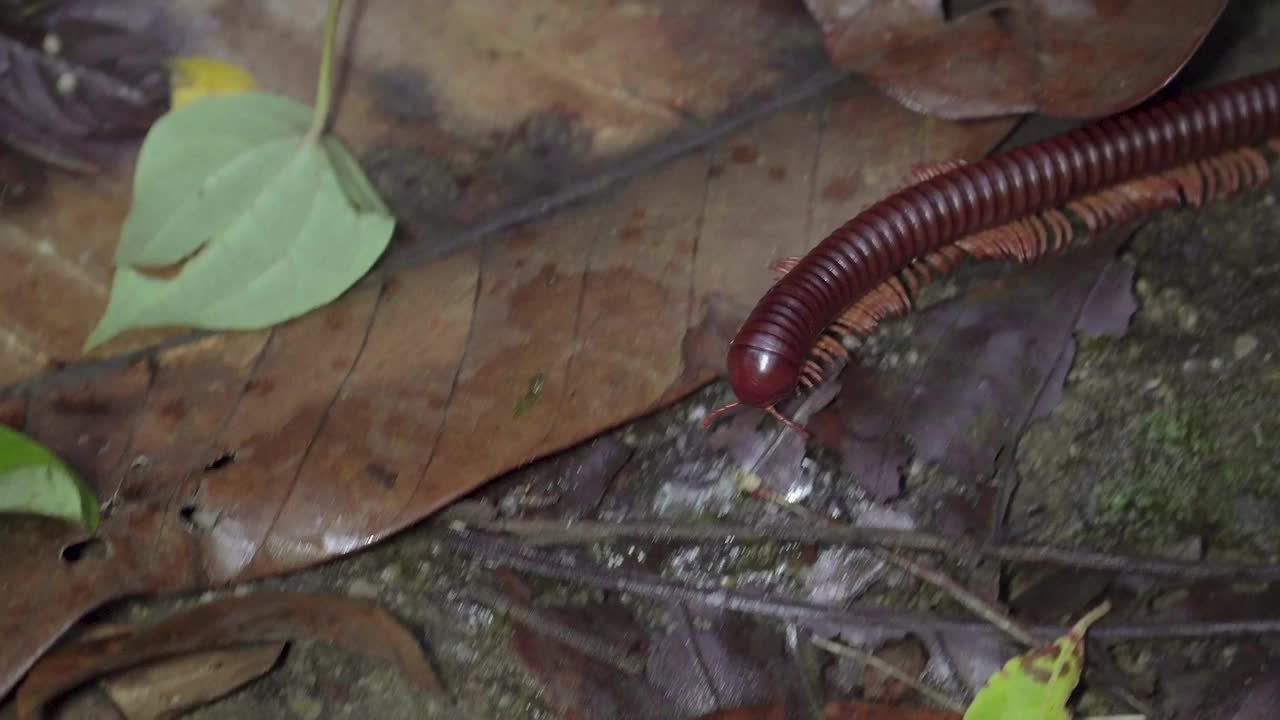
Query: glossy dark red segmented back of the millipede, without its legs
x: 766, y: 357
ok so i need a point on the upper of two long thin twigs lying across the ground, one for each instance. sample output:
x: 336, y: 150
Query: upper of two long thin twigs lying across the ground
x: 586, y: 532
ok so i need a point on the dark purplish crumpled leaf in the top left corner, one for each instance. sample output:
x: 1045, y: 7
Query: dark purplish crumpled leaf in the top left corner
x: 83, y: 79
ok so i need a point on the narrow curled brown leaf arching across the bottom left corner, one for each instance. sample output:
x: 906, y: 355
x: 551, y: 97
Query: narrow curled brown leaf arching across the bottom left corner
x: 225, y: 625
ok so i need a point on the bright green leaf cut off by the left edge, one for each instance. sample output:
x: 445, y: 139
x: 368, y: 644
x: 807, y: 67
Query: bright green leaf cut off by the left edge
x: 34, y: 481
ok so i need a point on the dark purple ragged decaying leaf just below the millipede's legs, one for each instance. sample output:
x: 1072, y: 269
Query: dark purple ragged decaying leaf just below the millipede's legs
x: 989, y: 363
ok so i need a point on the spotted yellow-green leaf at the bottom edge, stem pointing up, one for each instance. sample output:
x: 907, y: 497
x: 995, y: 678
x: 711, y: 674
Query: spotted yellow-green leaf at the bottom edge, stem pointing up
x: 1037, y: 685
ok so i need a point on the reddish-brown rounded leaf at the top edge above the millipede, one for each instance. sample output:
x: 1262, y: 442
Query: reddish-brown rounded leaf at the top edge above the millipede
x: 985, y: 58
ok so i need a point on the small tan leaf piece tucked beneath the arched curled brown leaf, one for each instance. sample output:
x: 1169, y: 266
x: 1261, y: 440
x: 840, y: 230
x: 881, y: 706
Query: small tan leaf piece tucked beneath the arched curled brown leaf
x: 166, y: 689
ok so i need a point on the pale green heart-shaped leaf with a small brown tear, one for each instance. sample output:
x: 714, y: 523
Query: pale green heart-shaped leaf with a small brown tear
x: 273, y: 220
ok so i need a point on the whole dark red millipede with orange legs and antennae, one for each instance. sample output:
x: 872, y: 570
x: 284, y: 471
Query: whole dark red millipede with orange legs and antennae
x: 1021, y: 204
